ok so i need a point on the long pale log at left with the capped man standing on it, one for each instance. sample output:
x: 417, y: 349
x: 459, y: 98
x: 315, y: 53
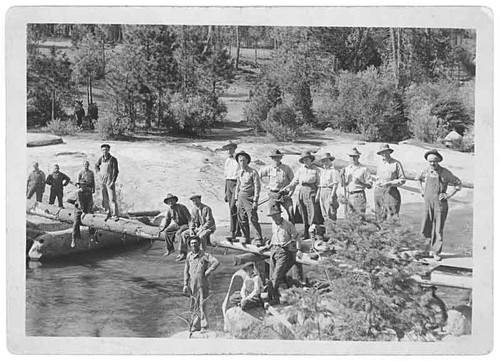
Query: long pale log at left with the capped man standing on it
x: 98, y: 221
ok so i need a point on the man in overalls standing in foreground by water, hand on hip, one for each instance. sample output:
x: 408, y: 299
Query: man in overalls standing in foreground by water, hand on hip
x: 197, y: 268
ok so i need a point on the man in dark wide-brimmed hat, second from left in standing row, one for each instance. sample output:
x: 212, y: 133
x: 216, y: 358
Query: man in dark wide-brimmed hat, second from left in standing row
x: 247, y: 196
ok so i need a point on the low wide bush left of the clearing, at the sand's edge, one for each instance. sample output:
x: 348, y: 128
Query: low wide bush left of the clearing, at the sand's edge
x: 195, y: 114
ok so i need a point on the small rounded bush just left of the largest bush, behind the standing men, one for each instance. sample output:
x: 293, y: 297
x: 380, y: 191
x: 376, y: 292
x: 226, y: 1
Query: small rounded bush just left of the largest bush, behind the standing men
x: 282, y: 123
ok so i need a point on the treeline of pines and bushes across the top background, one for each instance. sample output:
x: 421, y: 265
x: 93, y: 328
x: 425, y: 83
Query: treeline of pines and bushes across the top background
x: 384, y: 83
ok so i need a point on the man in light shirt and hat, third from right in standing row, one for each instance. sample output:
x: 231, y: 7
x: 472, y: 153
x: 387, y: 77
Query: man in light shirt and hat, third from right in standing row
x: 356, y: 179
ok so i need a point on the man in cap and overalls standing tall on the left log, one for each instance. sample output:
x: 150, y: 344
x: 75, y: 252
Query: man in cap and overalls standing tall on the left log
x: 107, y: 168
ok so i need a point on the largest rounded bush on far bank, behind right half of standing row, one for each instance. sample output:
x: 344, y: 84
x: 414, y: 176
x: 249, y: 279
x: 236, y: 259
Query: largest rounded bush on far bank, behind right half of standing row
x: 368, y: 103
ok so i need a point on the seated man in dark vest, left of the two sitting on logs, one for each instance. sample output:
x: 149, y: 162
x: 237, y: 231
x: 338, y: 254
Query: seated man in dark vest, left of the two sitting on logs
x: 175, y: 222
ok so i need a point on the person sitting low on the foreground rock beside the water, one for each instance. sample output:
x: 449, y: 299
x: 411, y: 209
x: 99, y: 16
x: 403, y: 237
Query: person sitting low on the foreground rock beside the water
x: 249, y: 295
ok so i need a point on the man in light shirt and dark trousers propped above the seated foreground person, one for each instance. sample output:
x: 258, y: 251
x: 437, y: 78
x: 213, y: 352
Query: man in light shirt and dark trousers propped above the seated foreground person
x: 284, y: 247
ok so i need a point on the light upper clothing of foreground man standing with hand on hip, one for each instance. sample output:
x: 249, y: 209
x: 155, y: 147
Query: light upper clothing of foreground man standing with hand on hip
x: 195, y: 267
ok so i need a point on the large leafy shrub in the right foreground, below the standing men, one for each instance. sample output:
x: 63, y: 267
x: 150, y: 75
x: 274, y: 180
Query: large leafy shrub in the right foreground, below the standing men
x: 365, y: 290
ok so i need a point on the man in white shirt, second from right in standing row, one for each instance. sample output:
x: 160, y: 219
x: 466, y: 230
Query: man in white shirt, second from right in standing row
x: 390, y: 175
